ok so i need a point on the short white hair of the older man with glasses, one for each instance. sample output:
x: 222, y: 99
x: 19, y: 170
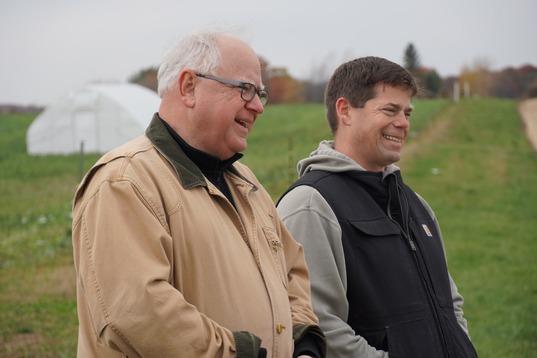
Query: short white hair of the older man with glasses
x: 197, y: 51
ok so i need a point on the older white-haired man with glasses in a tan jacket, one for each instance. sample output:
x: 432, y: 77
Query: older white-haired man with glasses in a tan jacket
x: 179, y: 250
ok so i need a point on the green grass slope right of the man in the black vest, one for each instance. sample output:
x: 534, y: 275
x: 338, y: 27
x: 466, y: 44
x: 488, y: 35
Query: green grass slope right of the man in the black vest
x: 485, y: 196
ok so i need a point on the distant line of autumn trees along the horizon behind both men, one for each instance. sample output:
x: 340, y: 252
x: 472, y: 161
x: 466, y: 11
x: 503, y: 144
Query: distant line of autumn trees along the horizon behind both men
x: 474, y: 80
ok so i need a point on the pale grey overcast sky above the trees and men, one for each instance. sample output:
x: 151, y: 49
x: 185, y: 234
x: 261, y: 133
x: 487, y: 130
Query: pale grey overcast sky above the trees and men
x: 51, y: 46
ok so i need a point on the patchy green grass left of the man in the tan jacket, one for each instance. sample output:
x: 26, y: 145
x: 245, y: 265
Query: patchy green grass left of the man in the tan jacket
x: 37, y: 287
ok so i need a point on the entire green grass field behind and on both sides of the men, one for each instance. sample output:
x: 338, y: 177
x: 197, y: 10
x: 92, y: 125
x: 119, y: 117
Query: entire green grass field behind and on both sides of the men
x: 470, y: 160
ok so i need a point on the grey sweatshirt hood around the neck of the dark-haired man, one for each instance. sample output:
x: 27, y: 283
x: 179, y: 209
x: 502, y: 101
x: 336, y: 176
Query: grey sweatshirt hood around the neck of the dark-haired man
x: 326, y: 158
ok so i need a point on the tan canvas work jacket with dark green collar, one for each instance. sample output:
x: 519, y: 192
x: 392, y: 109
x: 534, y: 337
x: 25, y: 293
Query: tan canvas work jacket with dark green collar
x: 167, y: 267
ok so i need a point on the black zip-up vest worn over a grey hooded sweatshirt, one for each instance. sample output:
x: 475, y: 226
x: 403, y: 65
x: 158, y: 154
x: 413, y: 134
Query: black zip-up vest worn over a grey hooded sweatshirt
x: 397, y: 279
